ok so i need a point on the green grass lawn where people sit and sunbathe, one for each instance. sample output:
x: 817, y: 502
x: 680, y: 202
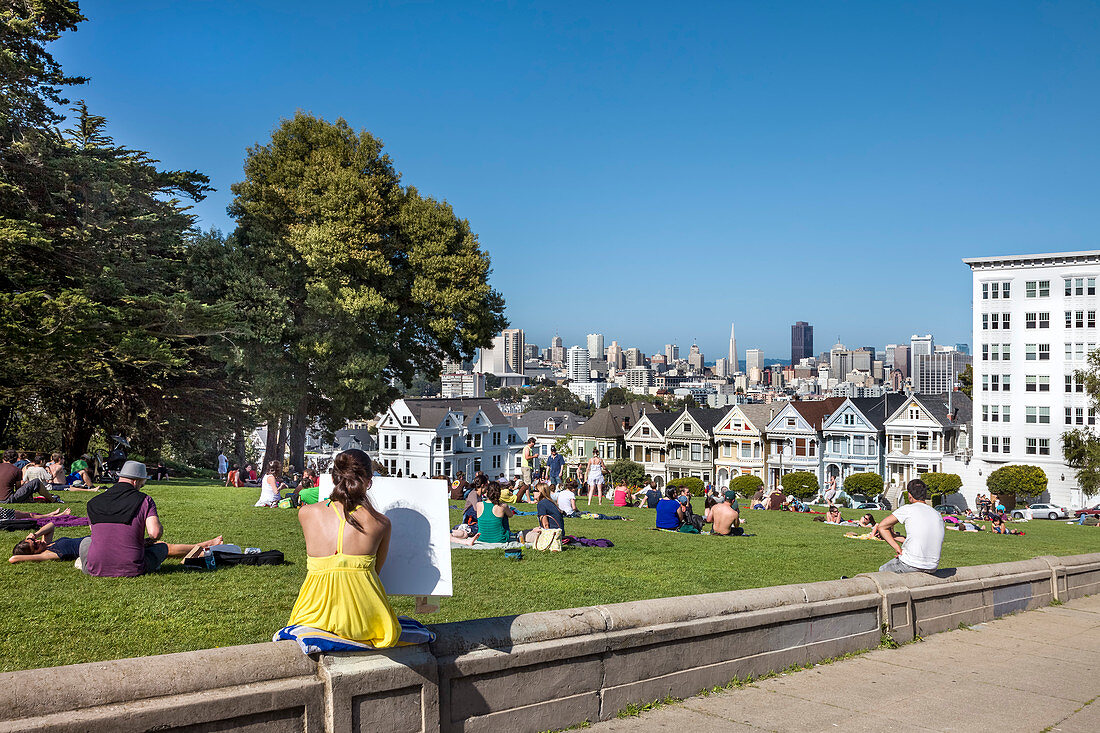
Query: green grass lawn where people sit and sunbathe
x: 57, y: 616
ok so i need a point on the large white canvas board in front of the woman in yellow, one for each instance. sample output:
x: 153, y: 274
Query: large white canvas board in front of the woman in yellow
x: 420, y: 559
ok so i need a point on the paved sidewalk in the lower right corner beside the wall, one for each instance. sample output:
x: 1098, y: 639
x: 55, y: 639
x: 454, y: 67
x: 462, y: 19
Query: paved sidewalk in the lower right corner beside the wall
x: 1036, y: 672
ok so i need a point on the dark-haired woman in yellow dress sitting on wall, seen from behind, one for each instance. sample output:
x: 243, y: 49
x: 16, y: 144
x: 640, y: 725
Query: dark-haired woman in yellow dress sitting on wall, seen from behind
x: 347, y: 541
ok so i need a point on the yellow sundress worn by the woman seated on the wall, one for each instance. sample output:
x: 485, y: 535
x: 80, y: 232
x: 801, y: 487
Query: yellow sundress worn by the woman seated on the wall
x: 343, y: 595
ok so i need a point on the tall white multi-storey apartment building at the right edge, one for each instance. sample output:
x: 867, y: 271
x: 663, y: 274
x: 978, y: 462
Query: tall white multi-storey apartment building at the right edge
x: 1035, y: 325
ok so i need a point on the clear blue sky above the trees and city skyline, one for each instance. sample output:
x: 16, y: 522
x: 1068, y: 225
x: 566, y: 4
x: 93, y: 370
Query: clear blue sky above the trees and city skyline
x: 655, y: 171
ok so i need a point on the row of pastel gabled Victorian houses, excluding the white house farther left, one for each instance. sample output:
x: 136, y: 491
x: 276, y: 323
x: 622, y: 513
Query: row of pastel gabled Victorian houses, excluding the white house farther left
x: 896, y: 436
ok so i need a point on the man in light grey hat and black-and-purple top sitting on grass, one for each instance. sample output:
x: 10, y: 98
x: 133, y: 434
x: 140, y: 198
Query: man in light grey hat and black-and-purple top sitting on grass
x: 120, y: 518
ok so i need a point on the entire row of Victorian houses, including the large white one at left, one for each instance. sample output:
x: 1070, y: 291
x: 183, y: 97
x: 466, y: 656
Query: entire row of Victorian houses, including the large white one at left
x: 896, y: 436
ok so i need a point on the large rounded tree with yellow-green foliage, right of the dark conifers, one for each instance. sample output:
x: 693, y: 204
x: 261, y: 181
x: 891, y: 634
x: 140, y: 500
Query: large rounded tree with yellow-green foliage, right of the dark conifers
x: 357, y: 283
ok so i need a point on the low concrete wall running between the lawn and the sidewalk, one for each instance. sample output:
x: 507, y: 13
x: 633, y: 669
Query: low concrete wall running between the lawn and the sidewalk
x: 533, y: 672
